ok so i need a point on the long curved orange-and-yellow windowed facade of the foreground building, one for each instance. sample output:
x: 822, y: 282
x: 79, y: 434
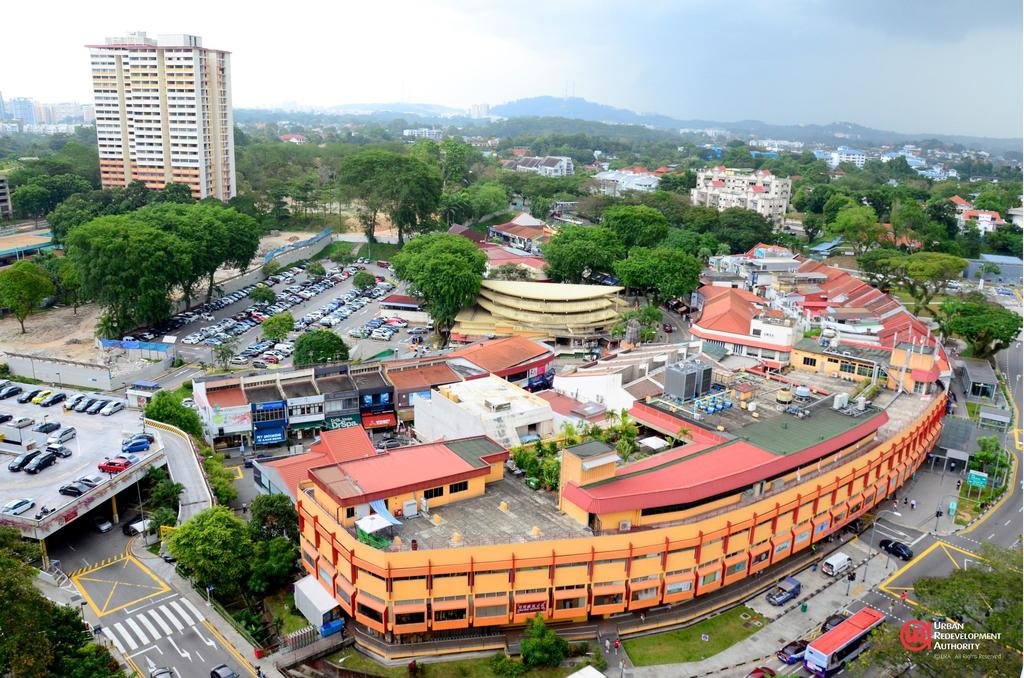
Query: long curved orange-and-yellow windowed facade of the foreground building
x: 695, y: 554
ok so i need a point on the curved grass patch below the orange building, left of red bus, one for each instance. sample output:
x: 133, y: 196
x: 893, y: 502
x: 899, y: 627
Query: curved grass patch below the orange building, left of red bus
x: 686, y: 645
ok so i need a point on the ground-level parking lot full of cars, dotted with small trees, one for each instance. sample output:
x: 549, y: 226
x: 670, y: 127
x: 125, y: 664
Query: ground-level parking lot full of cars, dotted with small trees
x: 238, y: 318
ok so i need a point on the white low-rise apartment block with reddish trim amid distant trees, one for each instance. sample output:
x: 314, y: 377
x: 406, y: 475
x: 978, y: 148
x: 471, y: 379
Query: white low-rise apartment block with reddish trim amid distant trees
x: 759, y: 192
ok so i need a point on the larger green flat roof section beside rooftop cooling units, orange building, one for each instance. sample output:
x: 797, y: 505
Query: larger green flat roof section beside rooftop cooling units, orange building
x: 786, y: 435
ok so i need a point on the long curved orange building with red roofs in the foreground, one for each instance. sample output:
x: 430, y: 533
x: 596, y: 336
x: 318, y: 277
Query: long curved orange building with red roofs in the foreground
x: 670, y: 528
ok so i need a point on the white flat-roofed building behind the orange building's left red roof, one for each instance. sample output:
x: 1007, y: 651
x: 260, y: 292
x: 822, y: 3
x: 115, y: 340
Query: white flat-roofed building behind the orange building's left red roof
x: 489, y: 406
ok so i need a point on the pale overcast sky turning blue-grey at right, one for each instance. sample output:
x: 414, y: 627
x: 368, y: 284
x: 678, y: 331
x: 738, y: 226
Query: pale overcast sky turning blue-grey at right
x: 911, y: 66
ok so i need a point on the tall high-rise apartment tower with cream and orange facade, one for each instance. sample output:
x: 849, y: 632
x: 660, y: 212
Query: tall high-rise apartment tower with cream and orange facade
x: 163, y: 112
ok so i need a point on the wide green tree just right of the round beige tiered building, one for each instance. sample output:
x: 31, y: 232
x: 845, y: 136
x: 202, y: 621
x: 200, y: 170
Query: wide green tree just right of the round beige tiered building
x: 662, y: 273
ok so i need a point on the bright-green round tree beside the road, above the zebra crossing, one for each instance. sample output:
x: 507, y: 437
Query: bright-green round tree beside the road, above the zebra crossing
x: 215, y: 548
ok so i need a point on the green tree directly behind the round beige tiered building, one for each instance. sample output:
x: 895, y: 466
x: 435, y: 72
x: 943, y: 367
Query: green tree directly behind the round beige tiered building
x: 575, y: 251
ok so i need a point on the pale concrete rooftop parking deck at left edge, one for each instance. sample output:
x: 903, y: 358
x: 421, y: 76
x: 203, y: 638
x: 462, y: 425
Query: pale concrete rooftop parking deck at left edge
x: 98, y: 437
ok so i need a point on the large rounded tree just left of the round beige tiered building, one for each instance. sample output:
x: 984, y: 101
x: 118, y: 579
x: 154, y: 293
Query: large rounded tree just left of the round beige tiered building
x: 446, y: 271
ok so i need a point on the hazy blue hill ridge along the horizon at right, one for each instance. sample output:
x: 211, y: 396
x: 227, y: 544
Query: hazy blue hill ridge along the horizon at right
x: 833, y: 134
